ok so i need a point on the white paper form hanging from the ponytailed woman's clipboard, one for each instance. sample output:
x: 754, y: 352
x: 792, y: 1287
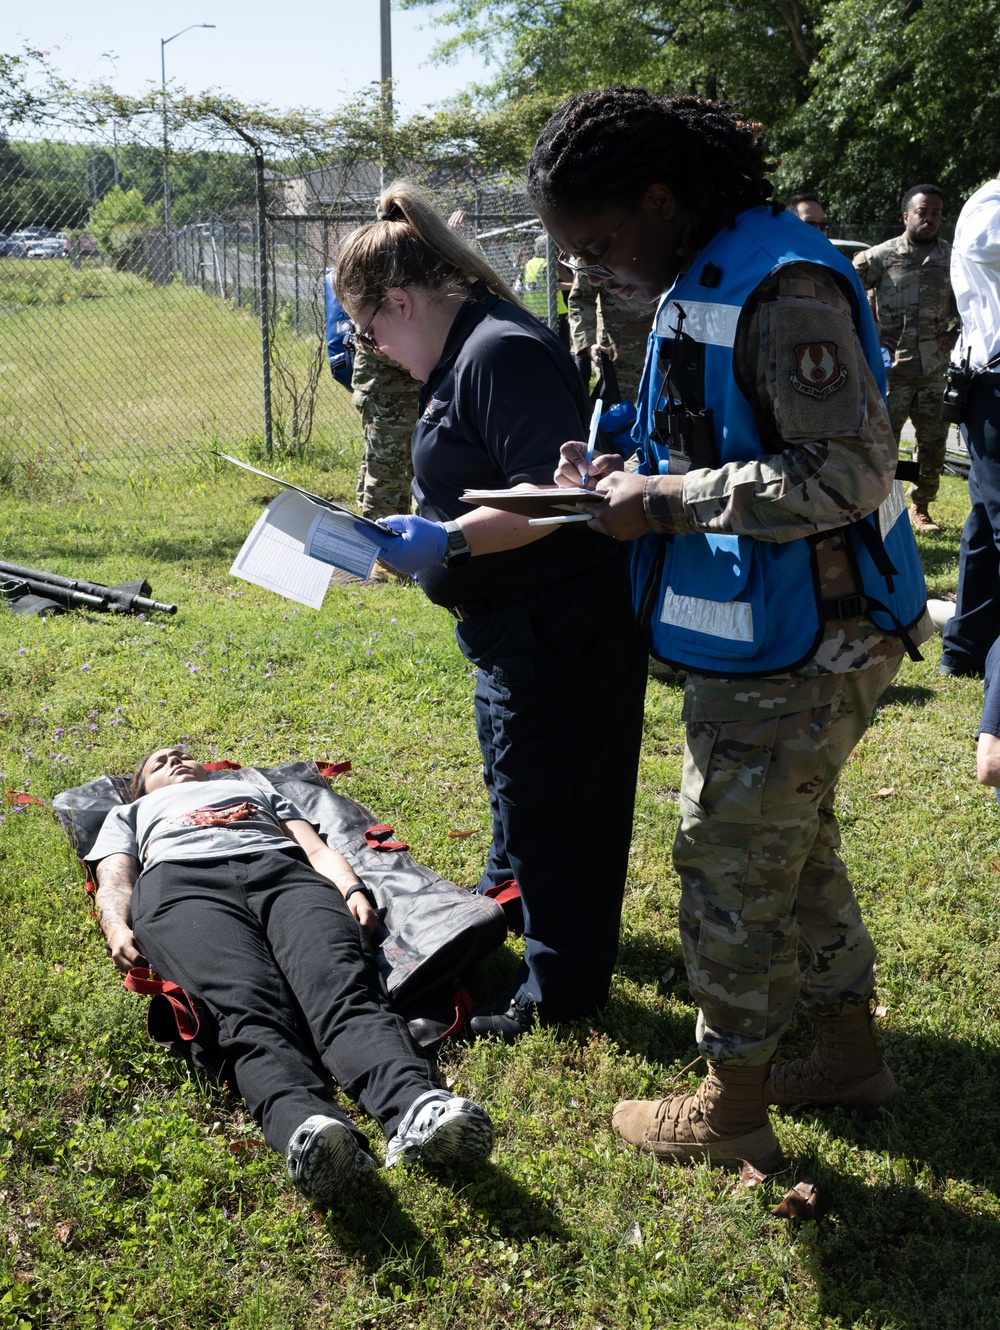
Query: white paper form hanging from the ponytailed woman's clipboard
x: 275, y: 554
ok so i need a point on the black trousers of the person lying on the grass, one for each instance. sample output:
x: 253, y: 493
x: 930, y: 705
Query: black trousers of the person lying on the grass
x: 275, y: 953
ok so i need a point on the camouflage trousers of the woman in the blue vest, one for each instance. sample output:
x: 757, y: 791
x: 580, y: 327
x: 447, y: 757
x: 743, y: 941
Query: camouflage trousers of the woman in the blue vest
x: 768, y: 913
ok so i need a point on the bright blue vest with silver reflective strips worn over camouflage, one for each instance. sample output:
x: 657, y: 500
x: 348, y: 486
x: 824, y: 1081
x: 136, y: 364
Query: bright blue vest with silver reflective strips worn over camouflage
x: 724, y: 604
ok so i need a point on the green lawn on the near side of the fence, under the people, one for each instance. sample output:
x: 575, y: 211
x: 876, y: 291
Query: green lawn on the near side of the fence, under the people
x: 131, y: 1196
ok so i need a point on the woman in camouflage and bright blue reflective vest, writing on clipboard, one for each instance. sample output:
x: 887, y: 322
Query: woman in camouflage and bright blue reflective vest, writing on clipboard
x: 773, y: 561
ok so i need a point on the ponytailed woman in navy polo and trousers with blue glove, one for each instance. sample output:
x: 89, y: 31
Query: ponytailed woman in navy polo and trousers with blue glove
x: 543, y: 612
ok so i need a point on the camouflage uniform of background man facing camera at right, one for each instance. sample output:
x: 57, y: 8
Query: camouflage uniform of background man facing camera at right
x: 912, y: 297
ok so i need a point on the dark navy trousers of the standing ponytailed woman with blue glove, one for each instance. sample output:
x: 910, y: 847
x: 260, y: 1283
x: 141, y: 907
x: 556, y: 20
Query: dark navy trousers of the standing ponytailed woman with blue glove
x: 559, y: 716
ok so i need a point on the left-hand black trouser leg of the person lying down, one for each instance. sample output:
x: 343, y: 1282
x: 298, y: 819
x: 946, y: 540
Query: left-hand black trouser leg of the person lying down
x: 195, y: 926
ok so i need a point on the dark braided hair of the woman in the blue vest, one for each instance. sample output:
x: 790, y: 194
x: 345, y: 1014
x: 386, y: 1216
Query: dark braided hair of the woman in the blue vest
x: 603, y: 148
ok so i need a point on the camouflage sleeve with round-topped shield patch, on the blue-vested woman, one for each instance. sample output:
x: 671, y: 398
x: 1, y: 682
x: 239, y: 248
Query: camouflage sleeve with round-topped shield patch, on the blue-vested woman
x: 818, y: 406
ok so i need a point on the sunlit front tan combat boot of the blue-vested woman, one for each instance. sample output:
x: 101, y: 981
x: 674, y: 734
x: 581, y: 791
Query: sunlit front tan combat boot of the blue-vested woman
x: 724, y: 1122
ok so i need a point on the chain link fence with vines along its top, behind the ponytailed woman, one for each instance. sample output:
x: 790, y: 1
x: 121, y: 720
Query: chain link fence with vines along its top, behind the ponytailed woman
x: 127, y: 346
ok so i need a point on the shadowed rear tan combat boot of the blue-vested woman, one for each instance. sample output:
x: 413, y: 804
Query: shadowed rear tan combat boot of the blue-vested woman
x: 846, y: 1067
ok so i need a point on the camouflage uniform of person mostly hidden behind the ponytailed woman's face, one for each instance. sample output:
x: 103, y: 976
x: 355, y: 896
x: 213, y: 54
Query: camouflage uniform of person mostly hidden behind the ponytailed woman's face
x: 386, y: 396
